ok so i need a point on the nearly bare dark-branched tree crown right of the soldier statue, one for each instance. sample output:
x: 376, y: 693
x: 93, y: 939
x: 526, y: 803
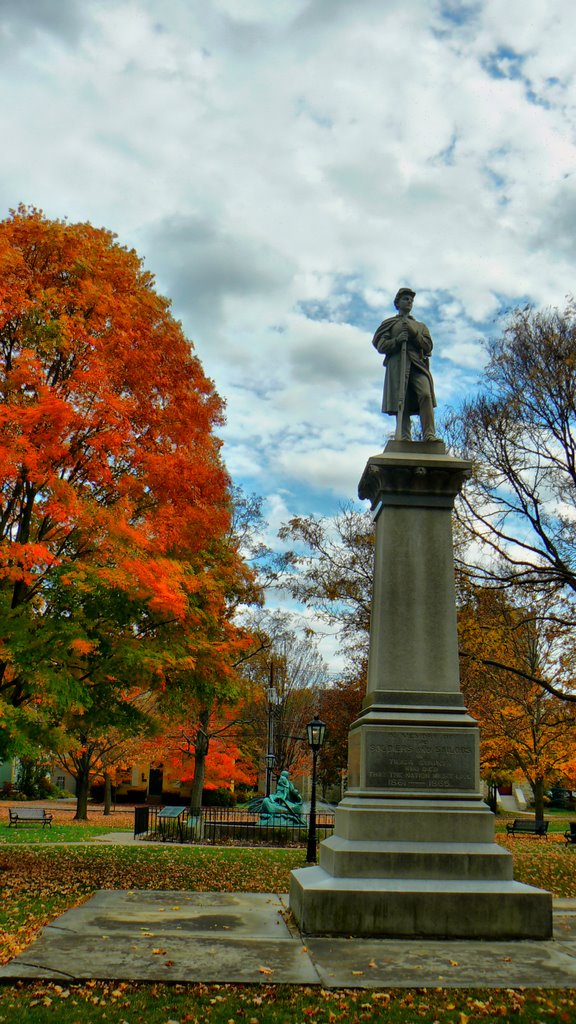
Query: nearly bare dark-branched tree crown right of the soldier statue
x: 517, y: 516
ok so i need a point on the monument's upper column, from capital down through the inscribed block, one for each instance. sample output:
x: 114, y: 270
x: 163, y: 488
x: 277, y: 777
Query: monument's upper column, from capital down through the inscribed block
x: 431, y: 745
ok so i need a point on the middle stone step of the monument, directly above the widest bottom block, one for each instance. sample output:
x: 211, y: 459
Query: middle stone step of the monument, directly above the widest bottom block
x: 344, y: 859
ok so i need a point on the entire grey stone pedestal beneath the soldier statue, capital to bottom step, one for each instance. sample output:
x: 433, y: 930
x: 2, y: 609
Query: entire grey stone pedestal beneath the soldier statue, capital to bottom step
x: 414, y: 852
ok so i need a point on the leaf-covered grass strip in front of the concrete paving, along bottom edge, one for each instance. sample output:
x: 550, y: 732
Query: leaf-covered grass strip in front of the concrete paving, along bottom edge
x: 154, y: 1004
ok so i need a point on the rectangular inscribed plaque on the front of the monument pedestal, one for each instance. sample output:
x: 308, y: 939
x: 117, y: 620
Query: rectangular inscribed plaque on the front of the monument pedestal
x: 409, y: 760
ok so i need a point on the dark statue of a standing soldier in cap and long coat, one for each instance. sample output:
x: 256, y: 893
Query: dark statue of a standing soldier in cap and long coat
x: 406, y: 345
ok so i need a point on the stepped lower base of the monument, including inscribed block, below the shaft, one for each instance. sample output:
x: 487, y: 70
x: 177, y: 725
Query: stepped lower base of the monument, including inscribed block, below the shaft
x: 414, y: 854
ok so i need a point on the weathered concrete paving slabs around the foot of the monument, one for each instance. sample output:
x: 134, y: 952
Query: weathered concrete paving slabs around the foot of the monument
x: 250, y: 938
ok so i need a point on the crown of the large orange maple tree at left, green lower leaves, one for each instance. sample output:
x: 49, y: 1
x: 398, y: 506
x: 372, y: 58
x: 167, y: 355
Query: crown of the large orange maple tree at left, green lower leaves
x: 116, y: 566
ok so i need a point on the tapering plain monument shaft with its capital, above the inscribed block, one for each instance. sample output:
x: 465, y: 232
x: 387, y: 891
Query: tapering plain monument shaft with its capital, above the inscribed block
x: 414, y: 642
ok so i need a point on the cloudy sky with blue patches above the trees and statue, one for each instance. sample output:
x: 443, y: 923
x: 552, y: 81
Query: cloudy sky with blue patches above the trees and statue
x: 283, y: 166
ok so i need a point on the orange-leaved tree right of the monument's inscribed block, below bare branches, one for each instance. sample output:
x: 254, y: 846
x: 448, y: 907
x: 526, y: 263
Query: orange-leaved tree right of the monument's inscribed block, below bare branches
x: 508, y: 653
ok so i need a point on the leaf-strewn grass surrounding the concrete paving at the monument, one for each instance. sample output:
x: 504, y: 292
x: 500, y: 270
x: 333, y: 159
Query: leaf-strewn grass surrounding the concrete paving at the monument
x: 39, y: 883
